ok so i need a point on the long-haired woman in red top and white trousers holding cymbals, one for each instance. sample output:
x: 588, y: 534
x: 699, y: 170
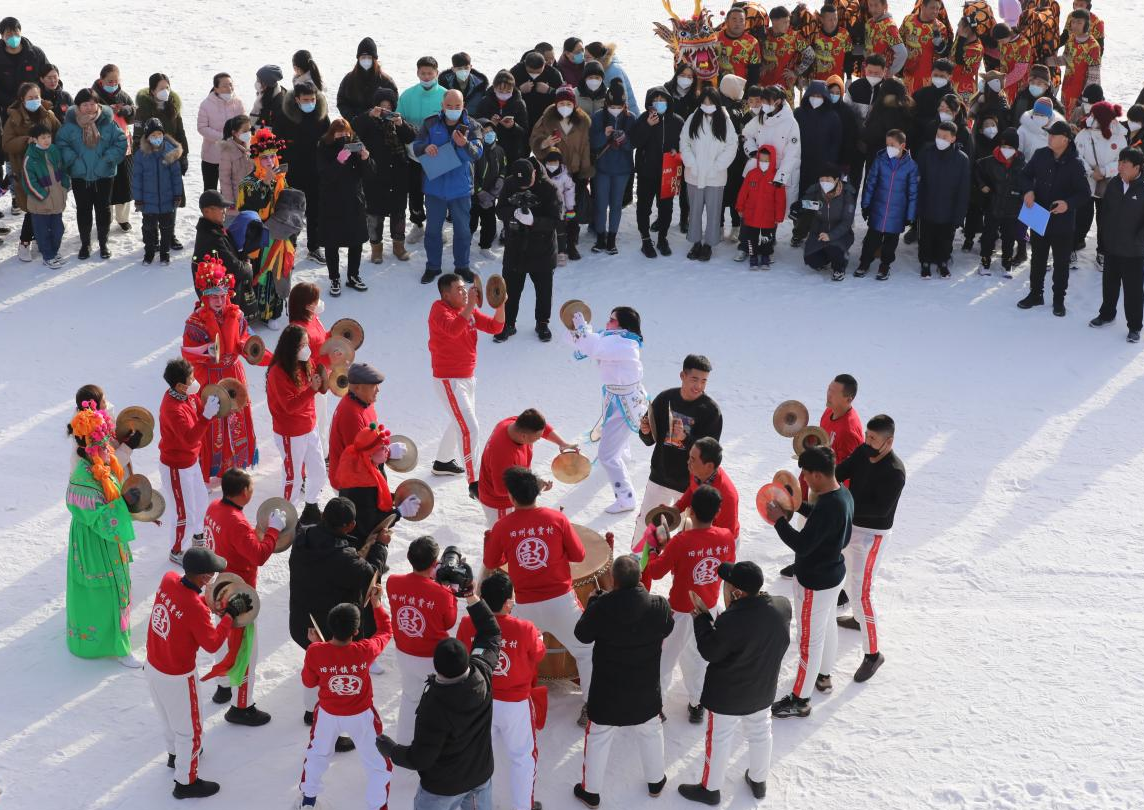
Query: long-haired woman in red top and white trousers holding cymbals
x: 292, y: 384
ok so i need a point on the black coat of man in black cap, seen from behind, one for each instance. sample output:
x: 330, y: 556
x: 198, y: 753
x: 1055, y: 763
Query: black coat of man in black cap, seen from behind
x: 744, y: 650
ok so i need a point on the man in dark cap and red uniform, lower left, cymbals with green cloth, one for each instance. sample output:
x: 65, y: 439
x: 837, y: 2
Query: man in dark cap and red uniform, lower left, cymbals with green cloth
x: 180, y: 625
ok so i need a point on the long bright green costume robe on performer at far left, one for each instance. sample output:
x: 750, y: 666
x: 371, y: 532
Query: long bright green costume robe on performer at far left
x: 99, y: 575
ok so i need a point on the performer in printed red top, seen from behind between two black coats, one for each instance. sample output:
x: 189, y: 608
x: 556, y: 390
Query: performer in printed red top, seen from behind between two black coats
x: 693, y: 558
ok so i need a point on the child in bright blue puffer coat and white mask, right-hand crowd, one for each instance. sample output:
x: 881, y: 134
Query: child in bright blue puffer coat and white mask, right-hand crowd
x: 889, y: 203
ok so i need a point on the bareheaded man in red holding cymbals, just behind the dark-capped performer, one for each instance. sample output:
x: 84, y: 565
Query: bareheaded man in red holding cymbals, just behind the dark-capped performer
x: 231, y: 535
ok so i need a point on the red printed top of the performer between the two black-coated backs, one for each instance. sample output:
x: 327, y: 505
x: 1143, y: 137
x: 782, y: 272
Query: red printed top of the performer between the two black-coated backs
x: 693, y: 558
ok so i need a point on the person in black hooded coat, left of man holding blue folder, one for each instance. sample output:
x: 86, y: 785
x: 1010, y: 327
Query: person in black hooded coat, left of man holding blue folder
x: 1000, y: 181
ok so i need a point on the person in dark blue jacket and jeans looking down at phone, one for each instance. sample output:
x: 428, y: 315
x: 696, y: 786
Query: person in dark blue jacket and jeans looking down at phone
x: 613, y: 148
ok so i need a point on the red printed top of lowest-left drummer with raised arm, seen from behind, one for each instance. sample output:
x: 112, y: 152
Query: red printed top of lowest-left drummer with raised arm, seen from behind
x: 341, y: 672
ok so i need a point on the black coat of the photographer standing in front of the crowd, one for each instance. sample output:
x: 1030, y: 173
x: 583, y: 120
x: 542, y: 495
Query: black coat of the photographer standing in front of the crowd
x: 530, y: 248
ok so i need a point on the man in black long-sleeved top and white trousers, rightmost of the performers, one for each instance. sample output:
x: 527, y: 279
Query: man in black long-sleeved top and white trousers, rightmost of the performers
x: 877, y: 478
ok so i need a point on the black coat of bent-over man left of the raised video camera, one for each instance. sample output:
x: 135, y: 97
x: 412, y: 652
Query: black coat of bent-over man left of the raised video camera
x: 325, y: 571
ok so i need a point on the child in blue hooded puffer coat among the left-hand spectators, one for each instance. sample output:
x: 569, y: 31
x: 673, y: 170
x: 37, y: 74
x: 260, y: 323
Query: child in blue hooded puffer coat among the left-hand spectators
x: 157, y: 186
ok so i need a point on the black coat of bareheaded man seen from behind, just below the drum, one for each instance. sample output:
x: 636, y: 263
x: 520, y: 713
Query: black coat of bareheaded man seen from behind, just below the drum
x: 627, y: 629
